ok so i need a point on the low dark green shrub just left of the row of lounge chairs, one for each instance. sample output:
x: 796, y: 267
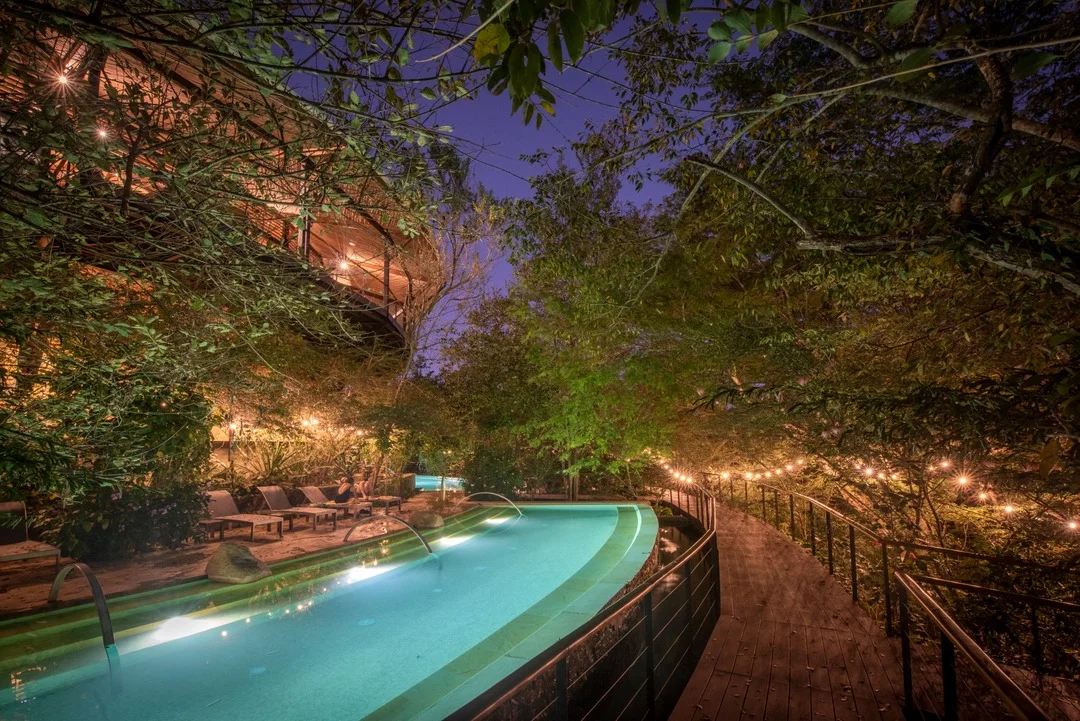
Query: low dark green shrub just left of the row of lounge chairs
x: 107, y: 524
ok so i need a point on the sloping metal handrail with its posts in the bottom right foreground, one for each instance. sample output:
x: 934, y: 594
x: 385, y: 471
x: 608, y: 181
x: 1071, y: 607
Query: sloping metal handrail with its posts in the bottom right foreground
x: 953, y: 637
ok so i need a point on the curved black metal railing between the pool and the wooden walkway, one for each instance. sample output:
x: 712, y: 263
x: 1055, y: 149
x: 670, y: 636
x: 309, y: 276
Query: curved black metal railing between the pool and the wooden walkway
x: 633, y: 660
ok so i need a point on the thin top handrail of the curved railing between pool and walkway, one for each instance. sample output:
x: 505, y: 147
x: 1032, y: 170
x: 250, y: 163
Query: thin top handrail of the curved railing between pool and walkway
x: 556, y: 657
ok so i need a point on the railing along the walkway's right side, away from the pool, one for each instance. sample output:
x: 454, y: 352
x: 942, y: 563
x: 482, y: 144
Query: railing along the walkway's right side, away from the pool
x: 868, y: 562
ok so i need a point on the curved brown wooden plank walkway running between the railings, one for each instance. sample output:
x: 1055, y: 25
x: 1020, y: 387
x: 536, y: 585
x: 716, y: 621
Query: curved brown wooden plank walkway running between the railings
x: 790, y: 644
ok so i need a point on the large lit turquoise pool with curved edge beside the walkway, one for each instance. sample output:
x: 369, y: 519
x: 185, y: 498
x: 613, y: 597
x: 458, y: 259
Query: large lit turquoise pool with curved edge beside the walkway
x: 402, y: 637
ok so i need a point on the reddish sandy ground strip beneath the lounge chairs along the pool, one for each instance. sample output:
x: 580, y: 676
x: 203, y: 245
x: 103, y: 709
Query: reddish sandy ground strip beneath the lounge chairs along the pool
x: 24, y: 586
